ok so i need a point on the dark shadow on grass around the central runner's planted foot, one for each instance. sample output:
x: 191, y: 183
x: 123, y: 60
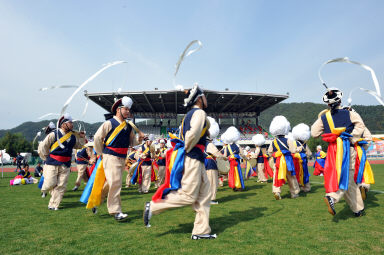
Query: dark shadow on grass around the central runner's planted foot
x: 220, y: 224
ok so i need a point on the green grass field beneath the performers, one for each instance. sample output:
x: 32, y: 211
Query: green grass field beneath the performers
x: 249, y: 222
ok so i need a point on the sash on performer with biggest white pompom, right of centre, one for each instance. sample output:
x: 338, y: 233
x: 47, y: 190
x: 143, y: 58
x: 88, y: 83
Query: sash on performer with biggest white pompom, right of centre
x: 284, y: 163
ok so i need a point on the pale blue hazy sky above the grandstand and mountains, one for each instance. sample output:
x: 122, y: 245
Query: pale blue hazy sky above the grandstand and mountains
x: 272, y: 46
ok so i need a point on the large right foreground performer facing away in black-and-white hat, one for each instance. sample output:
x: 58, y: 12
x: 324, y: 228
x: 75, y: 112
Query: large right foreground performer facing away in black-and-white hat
x: 339, y: 127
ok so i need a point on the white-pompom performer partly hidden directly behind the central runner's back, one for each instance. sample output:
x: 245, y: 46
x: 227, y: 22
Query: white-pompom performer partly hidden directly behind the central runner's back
x: 212, y: 153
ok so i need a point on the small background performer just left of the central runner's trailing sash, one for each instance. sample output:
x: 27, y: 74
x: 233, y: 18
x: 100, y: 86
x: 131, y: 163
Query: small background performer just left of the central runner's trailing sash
x: 146, y: 153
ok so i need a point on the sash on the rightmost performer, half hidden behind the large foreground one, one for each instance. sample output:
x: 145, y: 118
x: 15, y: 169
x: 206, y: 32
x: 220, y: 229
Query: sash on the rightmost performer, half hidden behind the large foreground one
x: 363, y: 170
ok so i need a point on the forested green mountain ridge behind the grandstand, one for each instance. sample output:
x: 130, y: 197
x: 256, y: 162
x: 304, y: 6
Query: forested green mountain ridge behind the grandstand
x: 296, y: 113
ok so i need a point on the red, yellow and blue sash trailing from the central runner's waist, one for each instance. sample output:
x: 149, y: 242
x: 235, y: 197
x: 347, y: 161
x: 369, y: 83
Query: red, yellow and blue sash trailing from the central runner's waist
x: 174, y: 168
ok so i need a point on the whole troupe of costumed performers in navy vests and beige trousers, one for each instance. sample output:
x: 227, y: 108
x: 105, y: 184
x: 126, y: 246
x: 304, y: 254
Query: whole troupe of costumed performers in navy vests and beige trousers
x: 185, y: 169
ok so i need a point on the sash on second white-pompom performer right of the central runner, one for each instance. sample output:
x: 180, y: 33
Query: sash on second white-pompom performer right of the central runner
x: 235, y: 174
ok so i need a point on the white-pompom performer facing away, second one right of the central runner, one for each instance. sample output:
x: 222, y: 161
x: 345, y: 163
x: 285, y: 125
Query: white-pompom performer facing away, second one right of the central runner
x: 234, y: 154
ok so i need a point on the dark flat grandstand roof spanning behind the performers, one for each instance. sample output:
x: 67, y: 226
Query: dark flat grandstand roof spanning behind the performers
x: 166, y: 104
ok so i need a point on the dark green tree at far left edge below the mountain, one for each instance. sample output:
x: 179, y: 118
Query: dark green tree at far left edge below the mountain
x: 15, y: 143
